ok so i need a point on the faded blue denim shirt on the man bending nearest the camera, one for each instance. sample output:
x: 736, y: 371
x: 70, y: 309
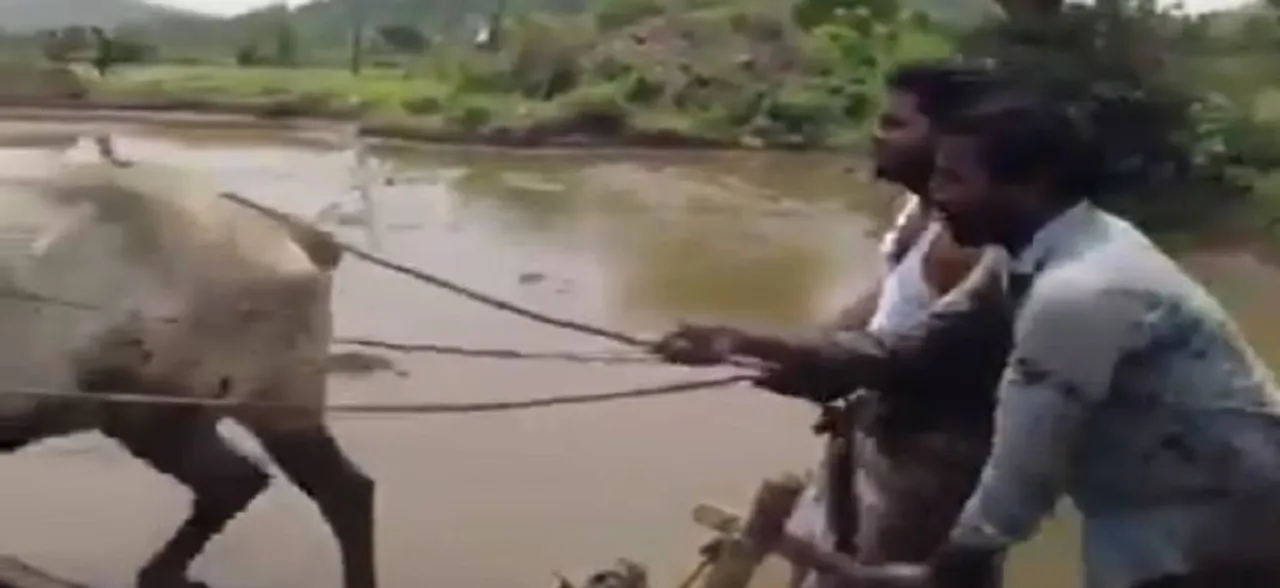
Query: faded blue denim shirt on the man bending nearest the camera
x: 1131, y: 391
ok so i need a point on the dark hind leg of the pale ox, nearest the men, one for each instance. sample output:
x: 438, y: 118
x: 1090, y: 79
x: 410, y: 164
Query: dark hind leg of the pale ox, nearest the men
x: 312, y: 458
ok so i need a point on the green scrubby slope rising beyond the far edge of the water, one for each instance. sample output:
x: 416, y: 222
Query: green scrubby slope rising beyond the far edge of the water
x: 724, y: 72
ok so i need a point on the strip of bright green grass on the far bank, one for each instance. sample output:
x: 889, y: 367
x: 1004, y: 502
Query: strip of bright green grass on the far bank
x: 423, y: 106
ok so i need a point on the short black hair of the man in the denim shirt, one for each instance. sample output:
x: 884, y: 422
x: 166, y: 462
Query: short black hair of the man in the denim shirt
x: 1023, y: 135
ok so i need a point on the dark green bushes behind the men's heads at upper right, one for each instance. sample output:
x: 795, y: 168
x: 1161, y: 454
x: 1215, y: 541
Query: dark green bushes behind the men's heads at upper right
x: 1186, y: 134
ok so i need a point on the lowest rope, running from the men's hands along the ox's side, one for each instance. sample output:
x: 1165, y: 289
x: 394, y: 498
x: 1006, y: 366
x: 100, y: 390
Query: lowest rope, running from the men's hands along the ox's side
x: 417, y: 409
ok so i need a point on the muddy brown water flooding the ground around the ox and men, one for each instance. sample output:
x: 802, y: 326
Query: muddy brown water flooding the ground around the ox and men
x: 633, y: 241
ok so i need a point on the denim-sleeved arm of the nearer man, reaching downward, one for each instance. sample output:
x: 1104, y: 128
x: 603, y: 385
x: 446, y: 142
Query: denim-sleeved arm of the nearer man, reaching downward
x: 1067, y: 347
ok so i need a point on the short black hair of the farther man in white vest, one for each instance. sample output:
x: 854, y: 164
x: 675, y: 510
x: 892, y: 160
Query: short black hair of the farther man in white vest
x: 945, y: 88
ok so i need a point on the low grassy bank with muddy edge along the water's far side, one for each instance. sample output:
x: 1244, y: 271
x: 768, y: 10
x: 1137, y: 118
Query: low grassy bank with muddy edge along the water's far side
x: 386, y: 106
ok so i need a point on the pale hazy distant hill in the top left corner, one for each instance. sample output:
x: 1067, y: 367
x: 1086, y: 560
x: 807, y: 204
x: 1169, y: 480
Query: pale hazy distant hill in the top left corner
x: 28, y: 16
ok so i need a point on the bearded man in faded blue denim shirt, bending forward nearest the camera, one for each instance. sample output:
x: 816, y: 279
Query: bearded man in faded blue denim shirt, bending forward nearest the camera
x: 1128, y: 388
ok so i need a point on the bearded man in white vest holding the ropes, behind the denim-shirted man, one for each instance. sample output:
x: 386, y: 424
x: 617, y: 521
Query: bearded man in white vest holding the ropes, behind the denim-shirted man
x: 930, y: 477
